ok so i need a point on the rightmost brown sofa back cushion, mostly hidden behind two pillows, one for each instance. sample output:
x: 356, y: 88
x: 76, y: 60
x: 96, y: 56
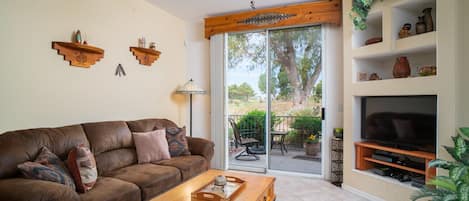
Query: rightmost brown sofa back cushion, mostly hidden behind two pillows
x: 147, y: 125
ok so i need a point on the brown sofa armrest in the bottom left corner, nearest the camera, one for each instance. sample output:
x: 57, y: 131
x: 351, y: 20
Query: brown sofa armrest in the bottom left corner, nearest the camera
x: 19, y: 189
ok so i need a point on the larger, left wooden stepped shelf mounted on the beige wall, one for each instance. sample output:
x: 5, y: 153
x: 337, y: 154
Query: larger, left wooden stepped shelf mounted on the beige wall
x: 79, y: 55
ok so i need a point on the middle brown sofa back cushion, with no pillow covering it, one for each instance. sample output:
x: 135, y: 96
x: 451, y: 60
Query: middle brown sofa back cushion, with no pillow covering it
x: 112, y: 145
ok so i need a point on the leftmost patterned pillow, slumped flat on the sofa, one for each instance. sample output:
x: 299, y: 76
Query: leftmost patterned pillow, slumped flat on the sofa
x: 48, y: 167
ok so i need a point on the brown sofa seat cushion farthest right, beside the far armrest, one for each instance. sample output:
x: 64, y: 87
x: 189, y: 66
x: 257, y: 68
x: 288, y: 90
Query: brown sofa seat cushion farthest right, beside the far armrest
x: 189, y: 166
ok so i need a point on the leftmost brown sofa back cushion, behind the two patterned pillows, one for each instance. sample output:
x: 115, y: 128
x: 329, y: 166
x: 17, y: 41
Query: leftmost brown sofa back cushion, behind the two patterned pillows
x: 24, y: 145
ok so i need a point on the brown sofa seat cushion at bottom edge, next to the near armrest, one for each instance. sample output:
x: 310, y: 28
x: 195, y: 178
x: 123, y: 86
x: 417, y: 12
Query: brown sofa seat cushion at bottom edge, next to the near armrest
x: 110, y: 189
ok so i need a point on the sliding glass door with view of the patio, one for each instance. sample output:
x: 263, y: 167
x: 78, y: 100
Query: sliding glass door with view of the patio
x: 273, y: 78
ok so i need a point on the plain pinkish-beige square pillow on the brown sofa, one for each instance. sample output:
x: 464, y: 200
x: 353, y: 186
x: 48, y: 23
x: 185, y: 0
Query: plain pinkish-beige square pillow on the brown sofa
x: 151, y: 146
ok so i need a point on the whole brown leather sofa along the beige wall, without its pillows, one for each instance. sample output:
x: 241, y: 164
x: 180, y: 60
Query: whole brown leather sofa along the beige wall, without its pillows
x: 121, y: 178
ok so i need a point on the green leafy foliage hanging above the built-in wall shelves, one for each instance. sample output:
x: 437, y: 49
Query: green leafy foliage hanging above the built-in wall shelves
x: 359, y: 13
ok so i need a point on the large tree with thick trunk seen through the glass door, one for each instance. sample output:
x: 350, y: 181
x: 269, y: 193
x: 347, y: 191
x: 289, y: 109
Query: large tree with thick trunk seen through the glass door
x: 296, y: 58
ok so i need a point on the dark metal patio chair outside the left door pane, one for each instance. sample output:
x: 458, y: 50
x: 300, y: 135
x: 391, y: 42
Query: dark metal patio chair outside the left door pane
x: 247, y: 154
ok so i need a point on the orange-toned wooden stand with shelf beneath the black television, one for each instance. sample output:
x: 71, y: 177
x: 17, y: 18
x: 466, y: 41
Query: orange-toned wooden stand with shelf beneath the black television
x: 364, y: 161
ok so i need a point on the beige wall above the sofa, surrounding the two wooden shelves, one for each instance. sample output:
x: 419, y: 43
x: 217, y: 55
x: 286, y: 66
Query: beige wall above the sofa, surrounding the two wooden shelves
x: 39, y: 89
